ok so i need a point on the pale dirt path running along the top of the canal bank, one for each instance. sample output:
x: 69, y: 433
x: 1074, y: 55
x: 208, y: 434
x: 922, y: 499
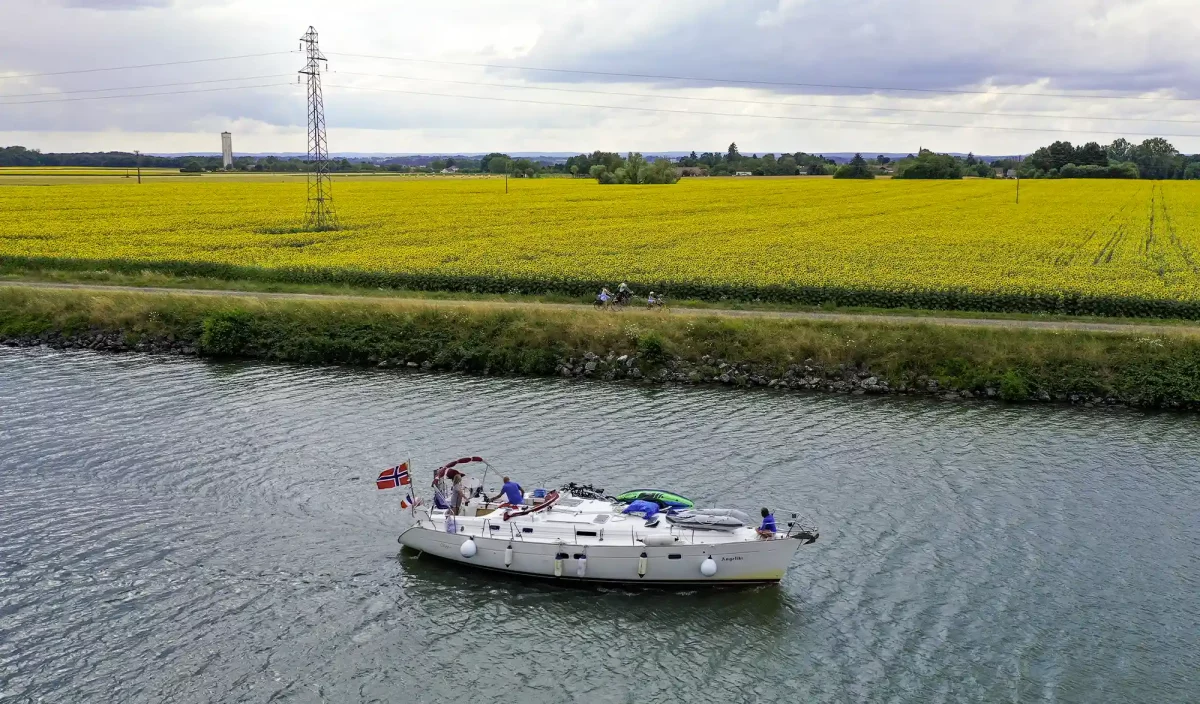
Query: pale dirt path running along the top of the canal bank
x: 1153, y: 329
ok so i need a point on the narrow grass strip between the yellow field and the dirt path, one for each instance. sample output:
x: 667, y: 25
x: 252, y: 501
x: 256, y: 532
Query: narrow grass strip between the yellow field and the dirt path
x: 149, y: 279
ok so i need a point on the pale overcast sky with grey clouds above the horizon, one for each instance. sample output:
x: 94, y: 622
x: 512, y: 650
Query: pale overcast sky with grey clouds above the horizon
x: 715, y: 50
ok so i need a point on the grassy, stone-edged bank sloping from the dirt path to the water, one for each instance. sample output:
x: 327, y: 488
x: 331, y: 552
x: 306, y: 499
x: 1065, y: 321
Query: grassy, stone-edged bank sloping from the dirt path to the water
x: 903, y: 358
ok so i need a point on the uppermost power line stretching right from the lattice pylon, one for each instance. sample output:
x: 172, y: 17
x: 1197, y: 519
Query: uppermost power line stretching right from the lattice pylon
x: 745, y: 82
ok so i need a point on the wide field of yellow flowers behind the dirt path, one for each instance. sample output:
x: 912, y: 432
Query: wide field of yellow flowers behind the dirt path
x: 1084, y: 246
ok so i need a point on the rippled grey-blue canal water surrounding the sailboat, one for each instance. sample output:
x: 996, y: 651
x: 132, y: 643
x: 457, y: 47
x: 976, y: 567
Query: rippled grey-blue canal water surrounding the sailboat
x: 177, y: 531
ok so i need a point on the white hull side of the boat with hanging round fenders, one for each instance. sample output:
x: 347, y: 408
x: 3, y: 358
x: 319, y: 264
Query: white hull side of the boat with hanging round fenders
x: 746, y: 562
